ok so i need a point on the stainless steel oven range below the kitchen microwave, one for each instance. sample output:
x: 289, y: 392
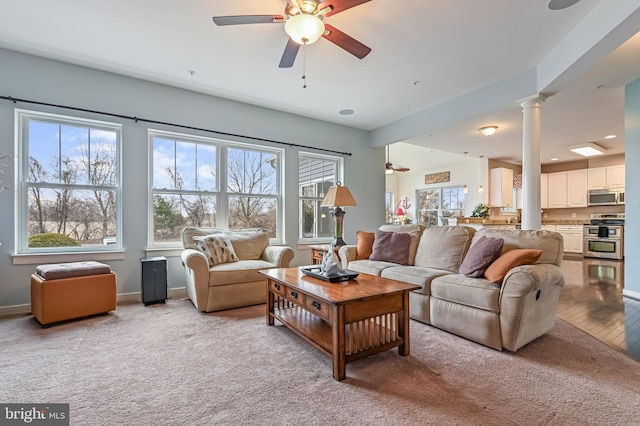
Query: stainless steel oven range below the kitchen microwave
x: 604, y: 236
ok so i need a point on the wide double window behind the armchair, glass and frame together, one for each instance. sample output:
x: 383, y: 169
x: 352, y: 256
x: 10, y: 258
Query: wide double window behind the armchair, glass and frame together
x: 211, y: 183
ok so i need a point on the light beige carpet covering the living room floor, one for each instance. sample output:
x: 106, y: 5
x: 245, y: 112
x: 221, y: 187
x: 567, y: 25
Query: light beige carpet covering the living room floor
x: 170, y: 365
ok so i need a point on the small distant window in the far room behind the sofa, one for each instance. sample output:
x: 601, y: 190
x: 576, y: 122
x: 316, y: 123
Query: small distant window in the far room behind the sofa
x: 438, y: 206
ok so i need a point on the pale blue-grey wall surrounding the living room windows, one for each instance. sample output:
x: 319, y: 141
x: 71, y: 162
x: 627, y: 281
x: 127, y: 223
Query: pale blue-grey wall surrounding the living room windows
x: 29, y: 77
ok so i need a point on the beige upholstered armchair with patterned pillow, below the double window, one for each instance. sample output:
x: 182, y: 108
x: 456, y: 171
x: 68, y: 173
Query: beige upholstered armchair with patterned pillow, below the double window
x: 233, y: 284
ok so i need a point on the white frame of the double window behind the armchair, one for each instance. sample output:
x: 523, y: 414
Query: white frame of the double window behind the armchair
x: 221, y: 192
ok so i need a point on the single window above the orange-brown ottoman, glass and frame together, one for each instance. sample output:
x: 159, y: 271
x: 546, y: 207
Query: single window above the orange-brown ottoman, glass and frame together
x: 70, y: 197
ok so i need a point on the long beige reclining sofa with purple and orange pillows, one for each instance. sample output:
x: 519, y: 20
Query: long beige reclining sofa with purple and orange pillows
x: 506, y: 316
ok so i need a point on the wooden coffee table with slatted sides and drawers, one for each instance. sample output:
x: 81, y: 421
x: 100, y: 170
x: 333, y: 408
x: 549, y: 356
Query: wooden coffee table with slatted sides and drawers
x: 346, y: 321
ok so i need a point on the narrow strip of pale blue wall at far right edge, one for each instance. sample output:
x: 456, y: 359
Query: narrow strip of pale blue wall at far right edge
x: 632, y: 204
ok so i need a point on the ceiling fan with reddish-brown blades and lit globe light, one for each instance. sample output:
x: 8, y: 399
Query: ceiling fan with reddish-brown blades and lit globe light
x: 304, y: 24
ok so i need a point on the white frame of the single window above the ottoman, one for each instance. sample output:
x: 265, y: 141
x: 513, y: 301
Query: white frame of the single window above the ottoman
x: 22, y: 119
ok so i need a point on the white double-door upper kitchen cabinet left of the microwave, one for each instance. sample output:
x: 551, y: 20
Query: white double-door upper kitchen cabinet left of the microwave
x: 567, y: 189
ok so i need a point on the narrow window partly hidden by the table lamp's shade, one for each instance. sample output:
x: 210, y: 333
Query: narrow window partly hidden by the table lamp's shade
x: 316, y: 174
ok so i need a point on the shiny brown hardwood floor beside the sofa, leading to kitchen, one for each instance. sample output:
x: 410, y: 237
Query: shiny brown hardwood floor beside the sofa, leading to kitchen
x: 592, y: 301
